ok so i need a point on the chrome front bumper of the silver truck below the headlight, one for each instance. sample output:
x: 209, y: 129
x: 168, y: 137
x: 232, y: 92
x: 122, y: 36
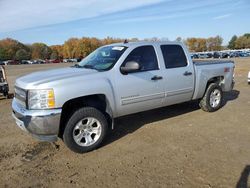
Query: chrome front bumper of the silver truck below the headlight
x: 41, y: 124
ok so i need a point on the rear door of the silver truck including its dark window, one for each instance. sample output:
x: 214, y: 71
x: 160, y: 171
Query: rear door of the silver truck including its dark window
x: 179, y: 74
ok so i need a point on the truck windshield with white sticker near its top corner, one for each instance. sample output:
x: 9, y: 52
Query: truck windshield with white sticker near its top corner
x: 103, y: 58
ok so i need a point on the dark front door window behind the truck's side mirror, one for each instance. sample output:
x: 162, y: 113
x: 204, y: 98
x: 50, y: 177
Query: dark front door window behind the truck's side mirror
x: 145, y: 56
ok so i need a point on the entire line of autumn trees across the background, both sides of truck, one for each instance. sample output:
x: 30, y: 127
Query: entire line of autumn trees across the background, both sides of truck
x: 11, y: 49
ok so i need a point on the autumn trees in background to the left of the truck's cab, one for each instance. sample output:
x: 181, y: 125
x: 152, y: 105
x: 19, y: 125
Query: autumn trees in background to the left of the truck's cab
x: 11, y: 49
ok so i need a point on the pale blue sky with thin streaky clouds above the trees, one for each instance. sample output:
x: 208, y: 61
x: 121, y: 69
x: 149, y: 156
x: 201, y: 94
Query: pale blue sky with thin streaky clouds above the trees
x: 54, y: 21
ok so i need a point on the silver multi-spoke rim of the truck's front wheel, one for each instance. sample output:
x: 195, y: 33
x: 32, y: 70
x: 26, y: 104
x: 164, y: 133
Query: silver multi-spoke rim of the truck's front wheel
x: 87, y: 131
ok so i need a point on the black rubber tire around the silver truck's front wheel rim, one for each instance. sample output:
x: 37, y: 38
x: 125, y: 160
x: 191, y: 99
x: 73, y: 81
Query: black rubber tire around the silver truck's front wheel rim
x: 78, y: 116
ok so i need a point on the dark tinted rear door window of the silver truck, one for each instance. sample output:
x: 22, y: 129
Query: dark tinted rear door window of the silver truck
x: 174, y: 56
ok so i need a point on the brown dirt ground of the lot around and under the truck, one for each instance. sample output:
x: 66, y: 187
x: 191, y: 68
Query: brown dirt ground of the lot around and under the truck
x: 176, y: 146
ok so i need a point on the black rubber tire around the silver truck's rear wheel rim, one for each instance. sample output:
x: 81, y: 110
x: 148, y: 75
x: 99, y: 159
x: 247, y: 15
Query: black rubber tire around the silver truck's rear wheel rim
x: 205, y: 101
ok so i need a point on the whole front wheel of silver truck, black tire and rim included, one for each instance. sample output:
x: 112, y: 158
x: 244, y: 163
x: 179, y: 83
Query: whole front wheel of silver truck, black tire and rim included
x: 85, y: 130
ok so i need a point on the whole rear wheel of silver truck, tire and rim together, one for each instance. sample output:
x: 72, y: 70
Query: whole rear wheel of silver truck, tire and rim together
x: 212, y: 100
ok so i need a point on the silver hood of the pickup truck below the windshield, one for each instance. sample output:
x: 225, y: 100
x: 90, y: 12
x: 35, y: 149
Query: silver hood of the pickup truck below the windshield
x: 43, y: 77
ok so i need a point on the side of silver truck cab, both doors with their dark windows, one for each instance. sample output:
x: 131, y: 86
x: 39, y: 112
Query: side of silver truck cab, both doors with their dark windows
x: 151, y: 85
